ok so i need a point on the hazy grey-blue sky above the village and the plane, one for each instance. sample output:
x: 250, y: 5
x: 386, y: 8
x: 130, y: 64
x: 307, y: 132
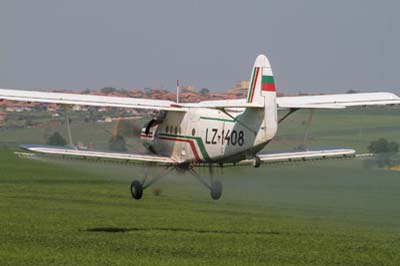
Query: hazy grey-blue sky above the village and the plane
x: 313, y: 46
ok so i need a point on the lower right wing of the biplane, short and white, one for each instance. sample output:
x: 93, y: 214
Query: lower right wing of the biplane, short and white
x: 293, y: 156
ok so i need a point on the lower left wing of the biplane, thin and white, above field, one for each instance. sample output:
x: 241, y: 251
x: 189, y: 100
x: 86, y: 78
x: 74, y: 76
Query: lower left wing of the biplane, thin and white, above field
x: 98, y: 155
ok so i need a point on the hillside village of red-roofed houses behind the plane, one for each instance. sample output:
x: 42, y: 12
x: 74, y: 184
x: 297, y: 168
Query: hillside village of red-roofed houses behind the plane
x: 23, y: 110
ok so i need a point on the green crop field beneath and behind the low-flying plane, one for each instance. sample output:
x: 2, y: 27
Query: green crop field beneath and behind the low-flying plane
x: 318, y: 213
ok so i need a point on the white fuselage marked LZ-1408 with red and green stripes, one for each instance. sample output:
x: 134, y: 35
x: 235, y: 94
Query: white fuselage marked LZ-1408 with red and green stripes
x: 205, y: 135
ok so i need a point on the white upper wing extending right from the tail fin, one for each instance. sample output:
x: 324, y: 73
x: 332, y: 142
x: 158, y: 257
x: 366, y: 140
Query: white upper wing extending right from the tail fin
x: 334, y: 101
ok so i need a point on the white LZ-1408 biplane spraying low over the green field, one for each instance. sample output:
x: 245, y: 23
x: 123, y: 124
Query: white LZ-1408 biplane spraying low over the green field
x: 183, y: 136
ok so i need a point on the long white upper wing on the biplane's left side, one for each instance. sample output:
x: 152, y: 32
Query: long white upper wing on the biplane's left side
x: 91, y: 100
